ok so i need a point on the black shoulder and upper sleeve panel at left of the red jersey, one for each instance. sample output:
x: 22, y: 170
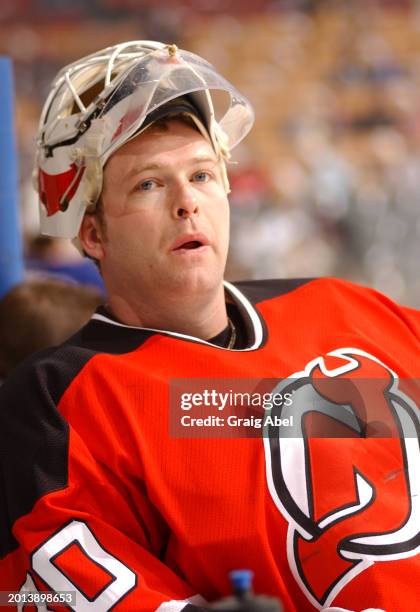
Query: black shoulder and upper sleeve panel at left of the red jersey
x: 33, y: 434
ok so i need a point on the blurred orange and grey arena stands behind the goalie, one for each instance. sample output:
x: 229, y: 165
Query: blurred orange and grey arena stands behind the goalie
x: 328, y: 182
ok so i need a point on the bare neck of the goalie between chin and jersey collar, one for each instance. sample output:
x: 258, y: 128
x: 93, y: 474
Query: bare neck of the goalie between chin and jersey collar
x: 199, y: 316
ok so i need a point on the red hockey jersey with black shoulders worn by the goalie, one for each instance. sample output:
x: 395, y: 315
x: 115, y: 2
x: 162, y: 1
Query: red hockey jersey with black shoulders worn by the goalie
x: 110, y: 489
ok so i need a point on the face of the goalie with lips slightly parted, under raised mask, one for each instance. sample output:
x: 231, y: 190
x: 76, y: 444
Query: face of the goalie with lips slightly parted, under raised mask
x: 166, y: 215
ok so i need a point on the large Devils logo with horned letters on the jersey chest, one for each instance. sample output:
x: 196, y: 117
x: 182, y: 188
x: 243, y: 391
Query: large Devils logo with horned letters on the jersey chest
x: 346, y: 476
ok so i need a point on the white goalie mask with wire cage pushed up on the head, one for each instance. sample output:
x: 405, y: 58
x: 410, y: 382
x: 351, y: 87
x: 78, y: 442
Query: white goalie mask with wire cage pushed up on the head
x: 101, y: 101
